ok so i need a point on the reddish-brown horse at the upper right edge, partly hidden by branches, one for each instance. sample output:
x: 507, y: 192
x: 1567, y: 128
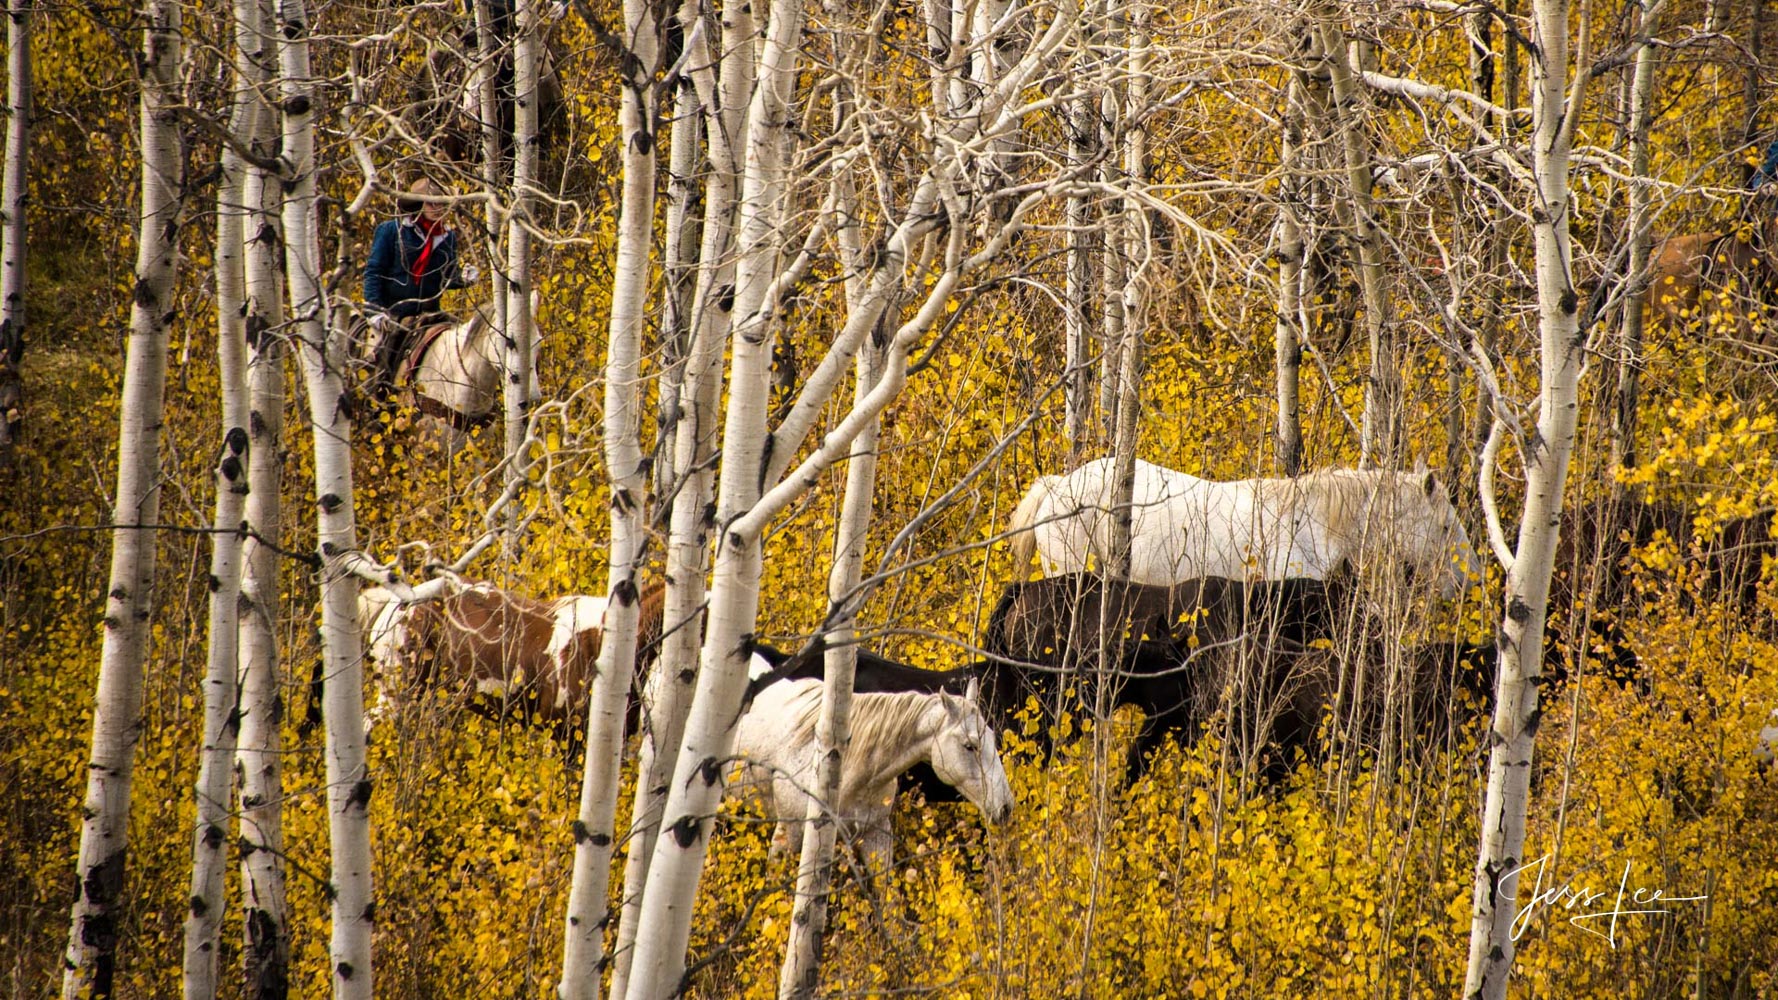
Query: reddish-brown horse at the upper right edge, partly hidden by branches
x: 1734, y: 271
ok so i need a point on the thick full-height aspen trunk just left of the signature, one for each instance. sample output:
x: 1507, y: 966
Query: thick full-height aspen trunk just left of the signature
x: 1521, y: 645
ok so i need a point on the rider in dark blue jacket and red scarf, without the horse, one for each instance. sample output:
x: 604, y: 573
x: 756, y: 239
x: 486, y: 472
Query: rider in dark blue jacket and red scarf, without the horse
x: 413, y: 261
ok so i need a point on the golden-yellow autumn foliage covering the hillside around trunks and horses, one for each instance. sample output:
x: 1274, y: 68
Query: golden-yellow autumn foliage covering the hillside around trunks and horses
x: 1343, y: 882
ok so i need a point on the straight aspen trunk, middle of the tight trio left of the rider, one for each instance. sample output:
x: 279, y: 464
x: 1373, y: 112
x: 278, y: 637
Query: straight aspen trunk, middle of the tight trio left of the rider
x: 259, y: 761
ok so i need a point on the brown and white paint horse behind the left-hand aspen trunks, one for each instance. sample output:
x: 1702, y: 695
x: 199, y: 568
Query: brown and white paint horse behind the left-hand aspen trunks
x: 501, y: 652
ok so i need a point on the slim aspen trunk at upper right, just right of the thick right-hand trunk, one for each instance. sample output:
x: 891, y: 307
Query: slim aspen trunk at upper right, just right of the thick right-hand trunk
x: 1642, y: 195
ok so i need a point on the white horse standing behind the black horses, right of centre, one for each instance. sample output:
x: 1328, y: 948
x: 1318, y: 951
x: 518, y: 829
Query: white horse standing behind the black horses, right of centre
x: 1254, y: 529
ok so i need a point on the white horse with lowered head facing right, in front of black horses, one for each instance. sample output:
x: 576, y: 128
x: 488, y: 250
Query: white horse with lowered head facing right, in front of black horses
x: 890, y: 734
